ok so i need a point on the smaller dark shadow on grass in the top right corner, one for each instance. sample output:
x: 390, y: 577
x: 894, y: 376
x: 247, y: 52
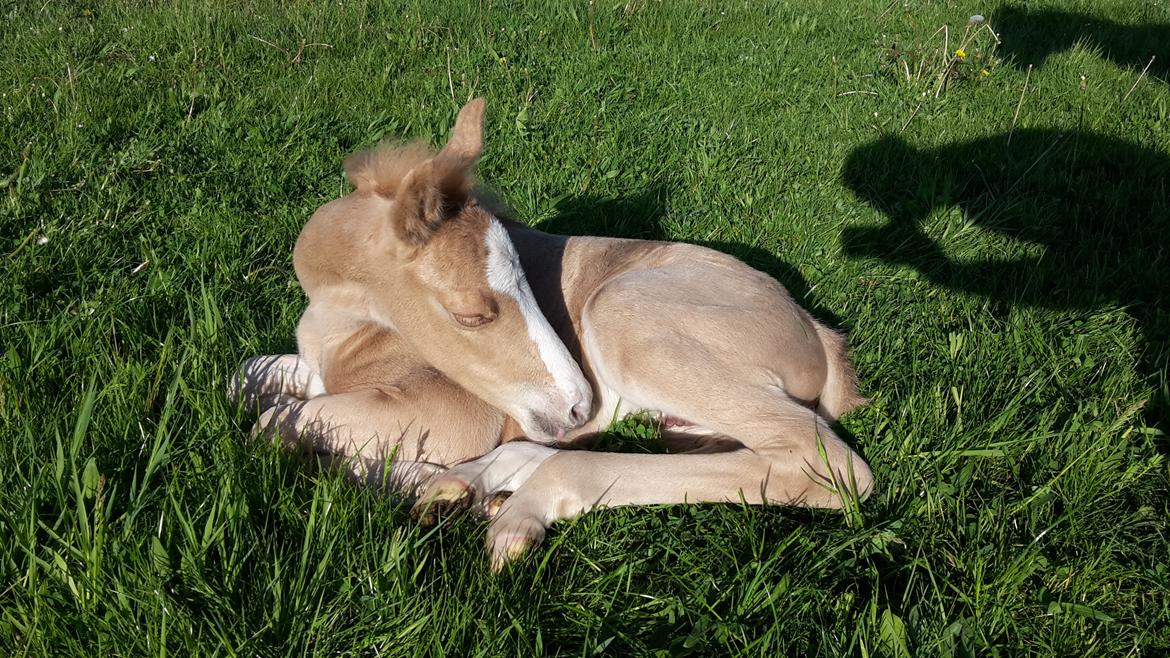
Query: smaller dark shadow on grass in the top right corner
x: 1029, y: 38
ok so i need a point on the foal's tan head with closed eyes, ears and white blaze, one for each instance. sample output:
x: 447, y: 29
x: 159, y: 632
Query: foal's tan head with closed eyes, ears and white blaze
x: 416, y: 250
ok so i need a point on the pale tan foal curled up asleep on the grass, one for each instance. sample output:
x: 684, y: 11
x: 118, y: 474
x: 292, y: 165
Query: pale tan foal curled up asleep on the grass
x: 438, y: 334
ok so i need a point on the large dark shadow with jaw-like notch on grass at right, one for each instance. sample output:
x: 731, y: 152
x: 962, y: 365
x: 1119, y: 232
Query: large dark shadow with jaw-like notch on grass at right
x: 1097, y: 211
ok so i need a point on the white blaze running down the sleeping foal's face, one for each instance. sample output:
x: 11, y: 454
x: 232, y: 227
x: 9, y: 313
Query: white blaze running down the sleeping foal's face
x: 506, y: 277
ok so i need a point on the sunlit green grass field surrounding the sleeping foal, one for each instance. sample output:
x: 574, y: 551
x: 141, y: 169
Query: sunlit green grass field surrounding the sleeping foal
x: 992, y: 230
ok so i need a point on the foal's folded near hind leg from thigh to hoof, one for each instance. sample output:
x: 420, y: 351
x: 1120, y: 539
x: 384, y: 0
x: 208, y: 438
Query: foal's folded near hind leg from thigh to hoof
x: 722, y: 378
